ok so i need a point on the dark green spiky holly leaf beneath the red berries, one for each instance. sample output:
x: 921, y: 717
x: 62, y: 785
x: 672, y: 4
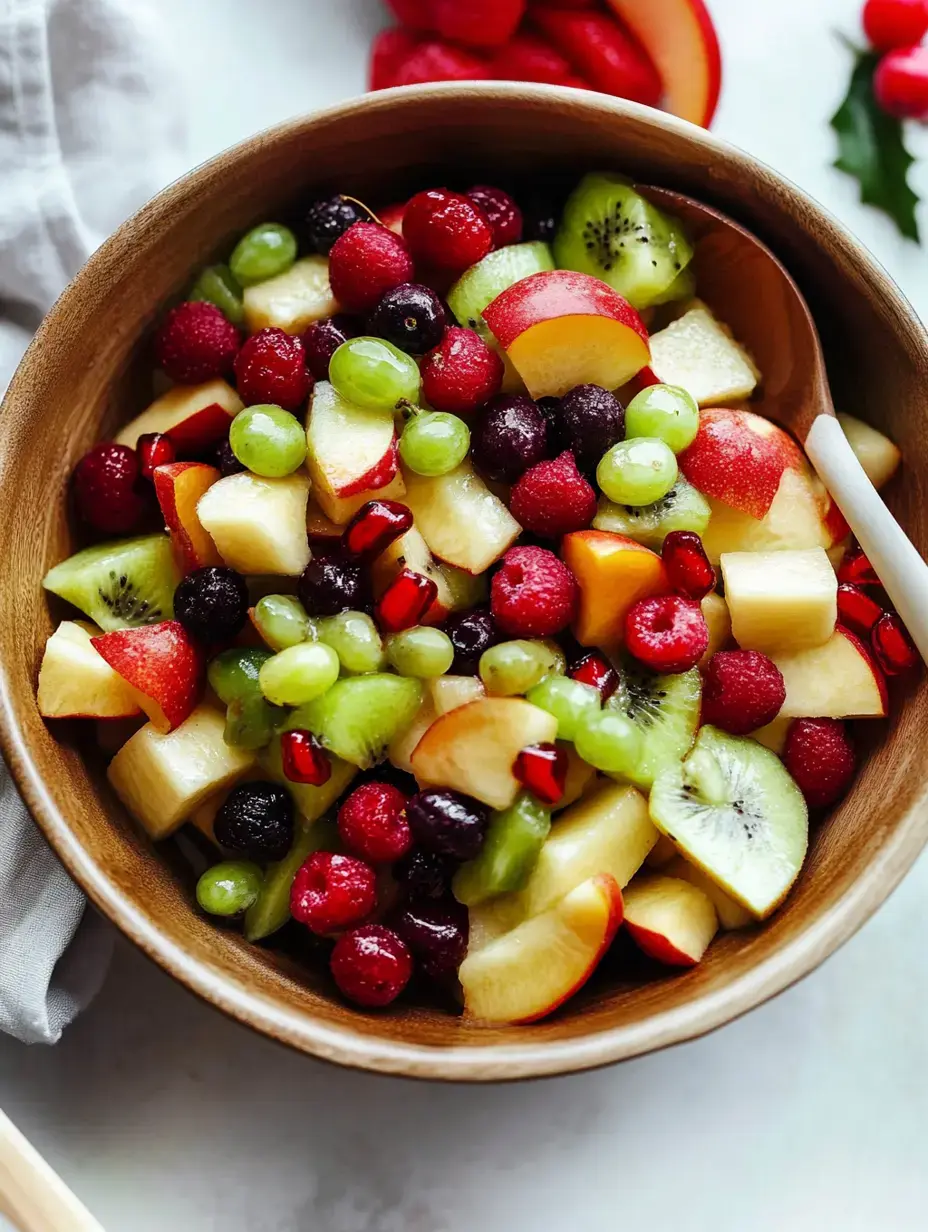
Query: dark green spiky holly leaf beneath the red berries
x: 873, y: 150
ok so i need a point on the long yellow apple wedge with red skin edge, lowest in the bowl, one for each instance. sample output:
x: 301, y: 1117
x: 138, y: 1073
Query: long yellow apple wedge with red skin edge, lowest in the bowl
x: 526, y: 975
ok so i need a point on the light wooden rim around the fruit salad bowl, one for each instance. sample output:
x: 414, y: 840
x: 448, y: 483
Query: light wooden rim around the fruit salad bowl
x: 344, y: 1045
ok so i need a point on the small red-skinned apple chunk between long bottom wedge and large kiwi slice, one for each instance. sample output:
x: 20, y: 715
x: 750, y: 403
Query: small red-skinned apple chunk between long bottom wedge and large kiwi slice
x: 670, y: 920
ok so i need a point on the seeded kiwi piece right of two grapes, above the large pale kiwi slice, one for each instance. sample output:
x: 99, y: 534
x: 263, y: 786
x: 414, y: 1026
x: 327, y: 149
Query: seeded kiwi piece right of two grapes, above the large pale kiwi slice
x: 666, y: 711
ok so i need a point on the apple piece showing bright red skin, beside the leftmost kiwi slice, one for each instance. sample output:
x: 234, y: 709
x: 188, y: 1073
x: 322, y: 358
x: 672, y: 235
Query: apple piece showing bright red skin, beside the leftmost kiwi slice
x: 162, y: 665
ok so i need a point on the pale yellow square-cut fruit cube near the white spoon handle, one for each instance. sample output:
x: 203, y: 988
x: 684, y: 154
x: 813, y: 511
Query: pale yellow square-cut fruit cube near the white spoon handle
x: 781, y: 601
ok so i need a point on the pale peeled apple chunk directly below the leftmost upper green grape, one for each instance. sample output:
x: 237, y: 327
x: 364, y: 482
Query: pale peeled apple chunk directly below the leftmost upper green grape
x: 259, y: 525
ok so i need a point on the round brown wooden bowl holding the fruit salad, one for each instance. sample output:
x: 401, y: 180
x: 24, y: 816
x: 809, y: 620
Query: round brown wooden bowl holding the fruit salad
x: 87, y: 371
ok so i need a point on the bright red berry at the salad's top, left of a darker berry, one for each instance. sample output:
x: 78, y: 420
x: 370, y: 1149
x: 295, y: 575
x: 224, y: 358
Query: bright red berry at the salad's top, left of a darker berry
x: 447, y: 230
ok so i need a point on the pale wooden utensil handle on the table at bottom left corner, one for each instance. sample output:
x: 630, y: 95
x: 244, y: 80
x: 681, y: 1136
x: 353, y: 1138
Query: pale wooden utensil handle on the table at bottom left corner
x: 33, y: 1196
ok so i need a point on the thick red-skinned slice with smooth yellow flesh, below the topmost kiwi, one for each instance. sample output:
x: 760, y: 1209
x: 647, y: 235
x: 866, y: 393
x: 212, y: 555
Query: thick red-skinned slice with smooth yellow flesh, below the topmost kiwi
x: 563, y: 330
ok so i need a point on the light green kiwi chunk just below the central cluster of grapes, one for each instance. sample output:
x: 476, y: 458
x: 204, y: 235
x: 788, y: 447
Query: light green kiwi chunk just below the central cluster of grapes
x: 359, y: 716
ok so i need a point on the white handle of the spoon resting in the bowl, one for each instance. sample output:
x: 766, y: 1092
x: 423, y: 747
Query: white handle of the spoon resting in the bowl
x: 895, y: 559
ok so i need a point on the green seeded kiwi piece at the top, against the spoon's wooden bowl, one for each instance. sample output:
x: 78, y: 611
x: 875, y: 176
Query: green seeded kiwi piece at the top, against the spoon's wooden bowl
x: 611, y: 231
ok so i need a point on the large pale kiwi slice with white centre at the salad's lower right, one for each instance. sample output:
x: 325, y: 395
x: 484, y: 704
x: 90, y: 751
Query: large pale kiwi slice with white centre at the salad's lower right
x: 735, y: 813
